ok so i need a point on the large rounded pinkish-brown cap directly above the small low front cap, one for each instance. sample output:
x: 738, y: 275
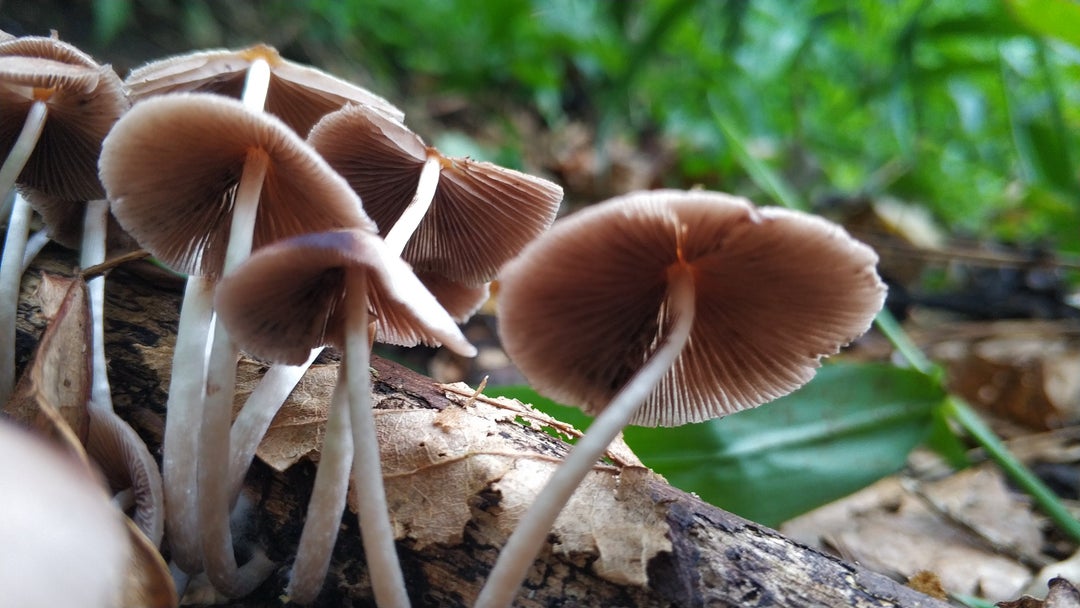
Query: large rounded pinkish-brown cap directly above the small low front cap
x: 172, y: 164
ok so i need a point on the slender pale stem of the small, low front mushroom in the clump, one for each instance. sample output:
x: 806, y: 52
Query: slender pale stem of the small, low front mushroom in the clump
x: 376, y: 531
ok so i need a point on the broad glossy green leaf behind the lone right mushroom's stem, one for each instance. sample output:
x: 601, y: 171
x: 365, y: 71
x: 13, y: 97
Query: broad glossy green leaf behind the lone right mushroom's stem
x: 849, y: 427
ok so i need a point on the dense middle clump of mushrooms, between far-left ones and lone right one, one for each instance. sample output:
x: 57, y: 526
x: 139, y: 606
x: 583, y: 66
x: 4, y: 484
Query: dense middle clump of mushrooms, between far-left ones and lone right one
x: 202, y: 181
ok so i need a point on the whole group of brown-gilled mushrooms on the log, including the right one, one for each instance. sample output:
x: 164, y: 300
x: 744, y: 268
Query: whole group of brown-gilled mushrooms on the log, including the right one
x: 306, y: 214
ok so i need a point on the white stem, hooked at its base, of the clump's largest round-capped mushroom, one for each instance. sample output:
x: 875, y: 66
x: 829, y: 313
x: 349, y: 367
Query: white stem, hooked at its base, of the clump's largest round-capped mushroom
x: 214, y: 496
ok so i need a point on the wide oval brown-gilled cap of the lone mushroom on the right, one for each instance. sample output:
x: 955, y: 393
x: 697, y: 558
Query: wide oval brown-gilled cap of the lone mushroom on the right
x: 583, y: 308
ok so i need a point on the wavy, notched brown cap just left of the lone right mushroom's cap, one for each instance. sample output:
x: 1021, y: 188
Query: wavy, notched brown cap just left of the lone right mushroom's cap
x: 481, y: 217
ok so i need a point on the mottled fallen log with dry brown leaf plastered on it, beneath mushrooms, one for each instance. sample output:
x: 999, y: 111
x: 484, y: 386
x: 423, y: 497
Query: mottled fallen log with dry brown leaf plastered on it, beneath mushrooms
x: 456, y: 502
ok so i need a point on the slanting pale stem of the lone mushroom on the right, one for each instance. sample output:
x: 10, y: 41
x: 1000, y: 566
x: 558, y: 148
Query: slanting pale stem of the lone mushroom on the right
x: 531, y: 534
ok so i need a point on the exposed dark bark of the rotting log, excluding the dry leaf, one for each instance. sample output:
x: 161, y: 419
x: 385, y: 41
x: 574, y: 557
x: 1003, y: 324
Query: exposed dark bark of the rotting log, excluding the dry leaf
x: 717, y: 559
